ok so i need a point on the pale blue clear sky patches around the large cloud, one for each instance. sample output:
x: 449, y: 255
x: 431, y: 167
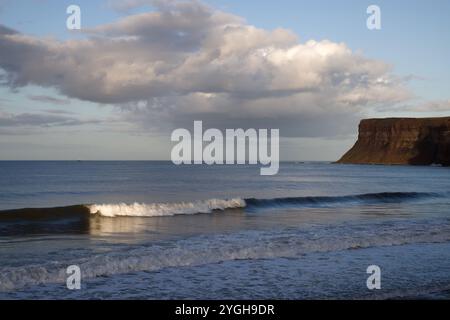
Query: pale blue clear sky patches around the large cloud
x: 414, y: 40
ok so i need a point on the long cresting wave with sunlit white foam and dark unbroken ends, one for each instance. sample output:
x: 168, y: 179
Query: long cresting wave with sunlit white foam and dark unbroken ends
x: 207, y: 206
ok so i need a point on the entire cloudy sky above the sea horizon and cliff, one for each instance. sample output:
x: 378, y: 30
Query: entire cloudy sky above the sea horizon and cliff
x: 139, y: 69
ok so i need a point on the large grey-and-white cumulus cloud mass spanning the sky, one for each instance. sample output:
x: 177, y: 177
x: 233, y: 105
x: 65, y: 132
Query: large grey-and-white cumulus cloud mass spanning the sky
x: 185, y: 61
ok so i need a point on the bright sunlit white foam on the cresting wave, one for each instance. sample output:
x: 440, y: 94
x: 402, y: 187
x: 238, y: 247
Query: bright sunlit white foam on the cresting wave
x: 164, y: 209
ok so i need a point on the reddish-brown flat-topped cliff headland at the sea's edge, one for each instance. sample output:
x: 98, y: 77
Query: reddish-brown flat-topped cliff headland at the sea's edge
x: 411, y: 141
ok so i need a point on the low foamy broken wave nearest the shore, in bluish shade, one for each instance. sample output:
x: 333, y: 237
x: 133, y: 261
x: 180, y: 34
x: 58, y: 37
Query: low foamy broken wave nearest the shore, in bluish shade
x: 216, y: 248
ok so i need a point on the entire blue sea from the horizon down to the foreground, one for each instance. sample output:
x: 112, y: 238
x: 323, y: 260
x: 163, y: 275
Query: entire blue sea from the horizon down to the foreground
x: 153, y: 230
